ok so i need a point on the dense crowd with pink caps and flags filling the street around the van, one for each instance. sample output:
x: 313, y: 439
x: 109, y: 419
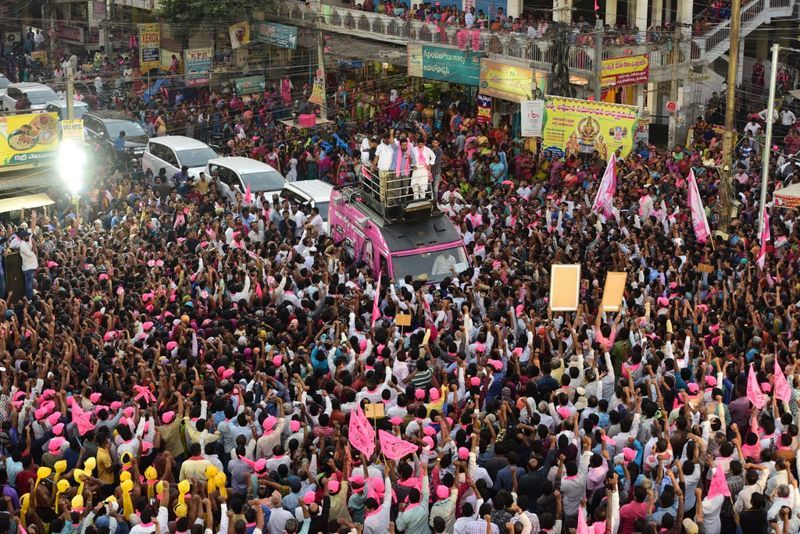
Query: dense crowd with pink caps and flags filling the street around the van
x: 183, y: 363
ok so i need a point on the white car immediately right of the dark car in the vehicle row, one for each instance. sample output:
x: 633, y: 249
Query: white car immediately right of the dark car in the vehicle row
x: 171, y: 152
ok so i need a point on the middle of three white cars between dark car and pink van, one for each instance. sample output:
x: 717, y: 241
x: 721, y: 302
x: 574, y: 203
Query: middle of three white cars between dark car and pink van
x: 236, y: 173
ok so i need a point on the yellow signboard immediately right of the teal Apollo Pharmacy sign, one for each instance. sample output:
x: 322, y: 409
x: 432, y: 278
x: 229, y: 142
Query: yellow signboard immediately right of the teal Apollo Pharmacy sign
x: 511, y: 82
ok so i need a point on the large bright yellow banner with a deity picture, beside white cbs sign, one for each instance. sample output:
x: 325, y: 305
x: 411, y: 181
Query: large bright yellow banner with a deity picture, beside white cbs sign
x: 579, y: 127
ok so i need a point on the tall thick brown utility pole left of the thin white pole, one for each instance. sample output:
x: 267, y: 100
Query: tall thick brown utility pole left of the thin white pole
x: 726, y: 183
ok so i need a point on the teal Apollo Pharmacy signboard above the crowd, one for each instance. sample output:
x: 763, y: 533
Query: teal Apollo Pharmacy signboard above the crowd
x: 444, y: 64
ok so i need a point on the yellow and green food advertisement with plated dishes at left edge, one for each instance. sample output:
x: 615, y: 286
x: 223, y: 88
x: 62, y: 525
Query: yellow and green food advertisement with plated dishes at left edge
x: 28, y: 138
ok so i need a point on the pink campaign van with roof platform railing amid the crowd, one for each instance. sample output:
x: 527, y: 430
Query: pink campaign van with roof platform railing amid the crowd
x: 396, y: 229
